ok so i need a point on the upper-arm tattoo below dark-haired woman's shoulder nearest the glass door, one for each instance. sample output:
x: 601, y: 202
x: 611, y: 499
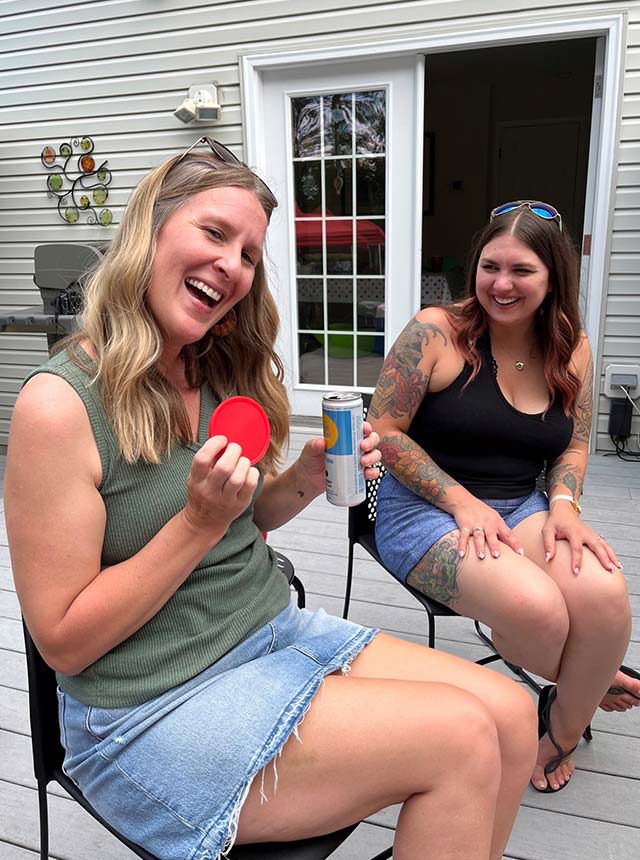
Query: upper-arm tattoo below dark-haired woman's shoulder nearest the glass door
x: 402, y: 385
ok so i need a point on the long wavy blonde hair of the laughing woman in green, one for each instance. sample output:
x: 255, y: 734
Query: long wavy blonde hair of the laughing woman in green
x: 147, y: 412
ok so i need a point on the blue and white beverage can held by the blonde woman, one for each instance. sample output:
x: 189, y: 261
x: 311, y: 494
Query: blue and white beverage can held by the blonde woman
x: 342, y: 427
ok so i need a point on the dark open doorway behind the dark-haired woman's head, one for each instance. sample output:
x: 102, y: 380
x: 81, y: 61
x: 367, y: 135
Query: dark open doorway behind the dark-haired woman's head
x: 501, y: 124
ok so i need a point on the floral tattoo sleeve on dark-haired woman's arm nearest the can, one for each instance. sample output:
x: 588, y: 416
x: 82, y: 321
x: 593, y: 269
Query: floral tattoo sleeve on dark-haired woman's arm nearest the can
x: 400, y: 390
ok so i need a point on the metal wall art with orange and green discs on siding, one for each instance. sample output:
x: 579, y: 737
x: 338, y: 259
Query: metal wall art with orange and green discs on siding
x: 77, y: 183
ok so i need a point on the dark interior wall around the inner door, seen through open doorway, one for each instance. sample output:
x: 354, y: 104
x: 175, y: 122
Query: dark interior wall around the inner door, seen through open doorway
x: 467, y: 95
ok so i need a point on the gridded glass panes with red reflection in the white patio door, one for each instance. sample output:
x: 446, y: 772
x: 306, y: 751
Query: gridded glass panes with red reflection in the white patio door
x: 339, y: 179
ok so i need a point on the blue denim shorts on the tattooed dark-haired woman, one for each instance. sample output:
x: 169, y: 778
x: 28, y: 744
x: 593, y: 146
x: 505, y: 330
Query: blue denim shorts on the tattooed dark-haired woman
x: 407, y: 526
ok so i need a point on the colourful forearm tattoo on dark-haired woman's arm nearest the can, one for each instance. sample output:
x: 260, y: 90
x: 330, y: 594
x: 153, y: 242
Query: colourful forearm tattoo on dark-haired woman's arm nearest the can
x: 413, y: 467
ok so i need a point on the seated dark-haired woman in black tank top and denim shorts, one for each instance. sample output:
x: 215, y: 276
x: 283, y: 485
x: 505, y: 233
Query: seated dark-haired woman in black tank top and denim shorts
x: 472, y: 402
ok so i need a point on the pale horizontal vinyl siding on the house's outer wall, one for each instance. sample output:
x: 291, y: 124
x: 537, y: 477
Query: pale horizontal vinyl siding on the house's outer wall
x: 116, y: 70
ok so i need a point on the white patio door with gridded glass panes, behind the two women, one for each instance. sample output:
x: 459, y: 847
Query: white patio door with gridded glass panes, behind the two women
x: 342, y: 146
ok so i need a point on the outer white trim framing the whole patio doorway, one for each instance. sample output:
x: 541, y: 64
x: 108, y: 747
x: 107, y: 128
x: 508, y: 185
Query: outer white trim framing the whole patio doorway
x: 540, y: 28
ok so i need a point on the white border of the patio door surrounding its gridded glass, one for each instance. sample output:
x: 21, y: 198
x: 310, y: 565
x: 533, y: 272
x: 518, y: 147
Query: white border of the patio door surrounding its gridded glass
x: 402, y: 79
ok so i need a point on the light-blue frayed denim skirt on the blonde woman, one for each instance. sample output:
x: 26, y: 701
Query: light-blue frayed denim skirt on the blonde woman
x: 172, y: 773
